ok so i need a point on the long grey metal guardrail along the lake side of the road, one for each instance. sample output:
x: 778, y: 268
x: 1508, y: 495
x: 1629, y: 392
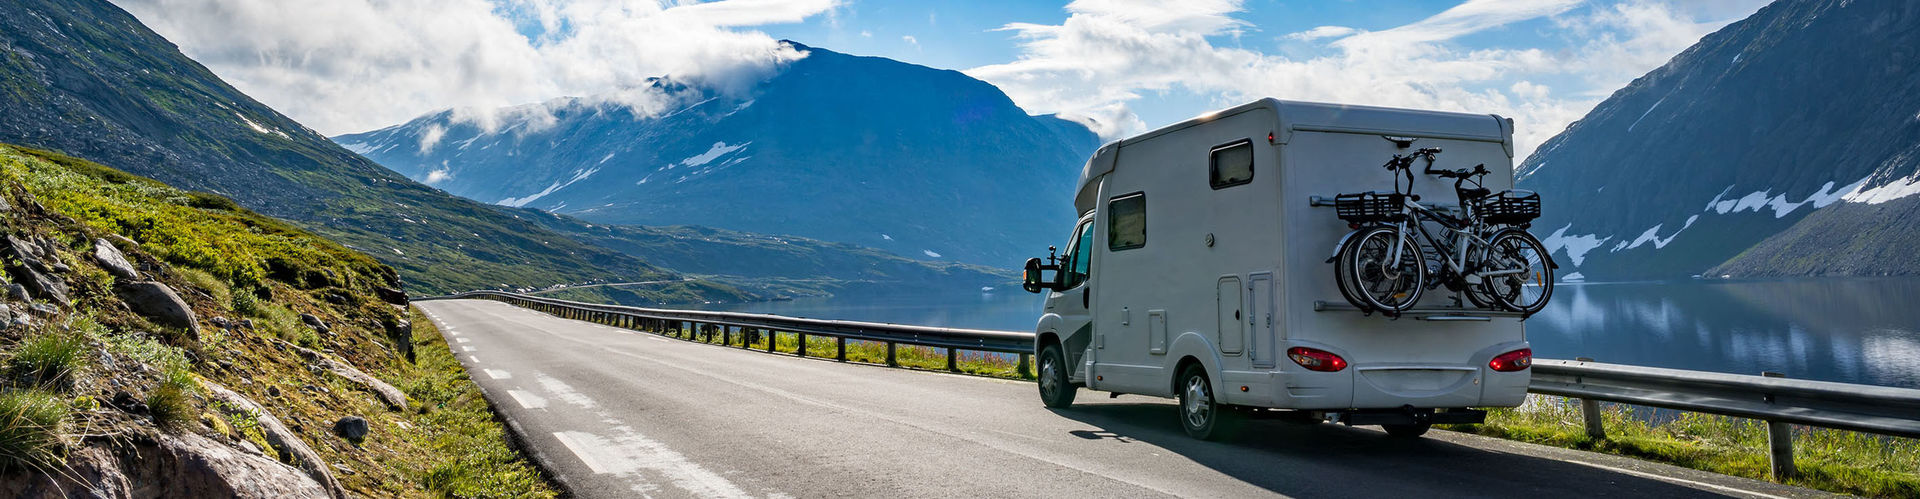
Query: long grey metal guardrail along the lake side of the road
x: 1779, y: 402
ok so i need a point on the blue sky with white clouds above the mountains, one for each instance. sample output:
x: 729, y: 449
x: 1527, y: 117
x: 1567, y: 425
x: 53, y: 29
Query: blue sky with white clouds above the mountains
x: 1118, y: 66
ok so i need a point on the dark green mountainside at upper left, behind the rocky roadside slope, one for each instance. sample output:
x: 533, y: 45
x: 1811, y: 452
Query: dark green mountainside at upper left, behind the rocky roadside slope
x: 87, y: 80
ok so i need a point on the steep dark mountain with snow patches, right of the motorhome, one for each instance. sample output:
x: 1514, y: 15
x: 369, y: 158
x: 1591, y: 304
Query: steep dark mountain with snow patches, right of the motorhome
x: 1781, y: 145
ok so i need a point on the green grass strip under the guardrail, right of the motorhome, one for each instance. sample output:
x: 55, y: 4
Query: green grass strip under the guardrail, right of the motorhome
x: 1827, y: 460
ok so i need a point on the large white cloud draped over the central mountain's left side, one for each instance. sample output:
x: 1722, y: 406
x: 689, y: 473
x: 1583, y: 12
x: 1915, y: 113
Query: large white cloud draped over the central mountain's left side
x: 347, y: 66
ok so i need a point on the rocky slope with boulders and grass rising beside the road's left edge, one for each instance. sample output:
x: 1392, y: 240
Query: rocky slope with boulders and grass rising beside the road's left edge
x: 158, y: 343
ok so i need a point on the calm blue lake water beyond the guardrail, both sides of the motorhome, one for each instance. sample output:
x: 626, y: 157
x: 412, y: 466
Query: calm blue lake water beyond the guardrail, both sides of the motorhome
x: 1861, y: 331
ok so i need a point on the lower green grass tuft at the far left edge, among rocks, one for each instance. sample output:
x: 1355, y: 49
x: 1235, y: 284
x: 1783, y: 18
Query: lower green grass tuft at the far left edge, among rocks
x: 32, y: 431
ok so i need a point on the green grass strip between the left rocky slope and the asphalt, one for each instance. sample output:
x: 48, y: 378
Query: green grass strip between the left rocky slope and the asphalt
x: 469, y: 448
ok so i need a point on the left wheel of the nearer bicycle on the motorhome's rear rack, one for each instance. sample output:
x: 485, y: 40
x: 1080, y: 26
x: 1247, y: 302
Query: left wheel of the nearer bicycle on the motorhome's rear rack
x: 1385, y: 283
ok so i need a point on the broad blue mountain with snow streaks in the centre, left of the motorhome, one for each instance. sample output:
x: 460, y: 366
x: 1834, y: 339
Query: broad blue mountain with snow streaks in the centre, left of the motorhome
x: 865, y: 151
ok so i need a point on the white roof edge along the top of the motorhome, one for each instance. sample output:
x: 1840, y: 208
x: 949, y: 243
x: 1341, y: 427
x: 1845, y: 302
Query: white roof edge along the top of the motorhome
x: 1326, y: 118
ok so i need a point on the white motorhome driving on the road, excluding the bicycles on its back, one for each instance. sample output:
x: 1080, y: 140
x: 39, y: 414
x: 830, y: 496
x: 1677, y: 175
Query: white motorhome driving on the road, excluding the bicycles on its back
x: 1199, y: 270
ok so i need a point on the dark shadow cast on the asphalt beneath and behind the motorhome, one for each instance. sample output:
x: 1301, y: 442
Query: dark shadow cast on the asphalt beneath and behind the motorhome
x: 1339, y: 462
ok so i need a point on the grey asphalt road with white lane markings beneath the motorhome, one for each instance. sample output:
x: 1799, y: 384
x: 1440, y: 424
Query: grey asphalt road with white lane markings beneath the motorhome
x: 619, y: 414
